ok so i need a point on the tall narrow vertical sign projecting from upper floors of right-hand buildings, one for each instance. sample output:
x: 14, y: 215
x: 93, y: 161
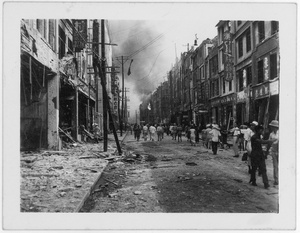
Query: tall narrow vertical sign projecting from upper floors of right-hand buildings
x: 228, y: 58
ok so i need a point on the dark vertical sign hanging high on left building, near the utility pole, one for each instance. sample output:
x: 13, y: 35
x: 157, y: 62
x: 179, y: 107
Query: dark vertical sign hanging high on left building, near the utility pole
x: 79, y: 34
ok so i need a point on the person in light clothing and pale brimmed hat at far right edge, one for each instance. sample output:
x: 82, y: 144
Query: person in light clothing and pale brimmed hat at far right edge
x: 274, y: 138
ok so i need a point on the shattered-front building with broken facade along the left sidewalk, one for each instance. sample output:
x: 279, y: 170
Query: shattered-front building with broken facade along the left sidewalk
x: 58, y: 86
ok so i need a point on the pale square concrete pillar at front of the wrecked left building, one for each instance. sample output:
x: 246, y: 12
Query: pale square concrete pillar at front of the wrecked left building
x: 53, y: 113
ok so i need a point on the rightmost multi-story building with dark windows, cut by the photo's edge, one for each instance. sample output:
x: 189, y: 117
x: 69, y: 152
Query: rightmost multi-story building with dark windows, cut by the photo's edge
x: 265, y: 60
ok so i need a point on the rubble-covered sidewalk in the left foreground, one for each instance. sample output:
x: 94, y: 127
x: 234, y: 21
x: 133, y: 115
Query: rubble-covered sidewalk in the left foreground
x: 60, y: 181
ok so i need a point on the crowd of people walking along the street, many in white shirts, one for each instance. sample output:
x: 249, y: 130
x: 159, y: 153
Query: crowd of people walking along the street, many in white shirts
x: 247, y: 137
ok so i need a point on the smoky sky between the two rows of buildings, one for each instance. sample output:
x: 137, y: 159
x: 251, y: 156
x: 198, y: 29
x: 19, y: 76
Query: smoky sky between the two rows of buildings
x: 150, y: 66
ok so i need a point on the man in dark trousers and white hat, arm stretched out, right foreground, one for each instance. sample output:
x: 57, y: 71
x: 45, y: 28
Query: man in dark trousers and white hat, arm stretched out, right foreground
x: 258, y: 157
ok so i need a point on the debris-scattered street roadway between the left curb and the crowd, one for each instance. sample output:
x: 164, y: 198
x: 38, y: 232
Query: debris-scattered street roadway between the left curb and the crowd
x: 170, y: 176
